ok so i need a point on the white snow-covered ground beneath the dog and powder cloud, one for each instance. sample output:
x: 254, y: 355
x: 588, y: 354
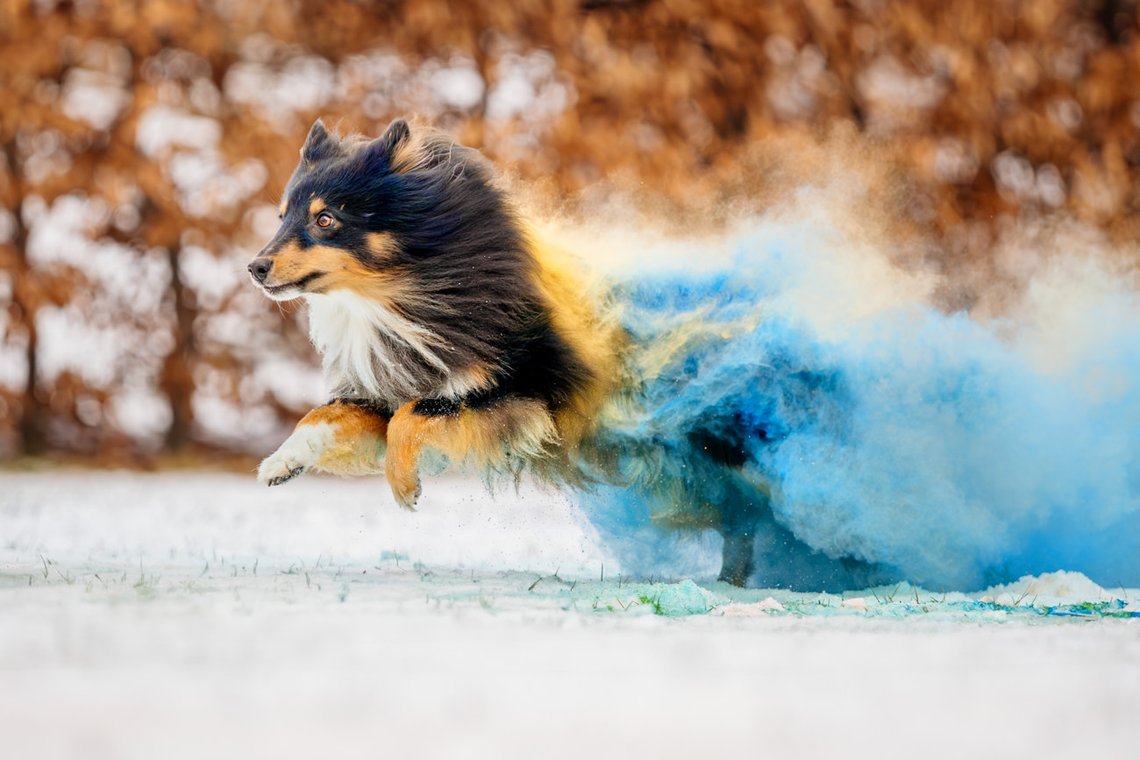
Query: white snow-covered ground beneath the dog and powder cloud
x: 185, y: 616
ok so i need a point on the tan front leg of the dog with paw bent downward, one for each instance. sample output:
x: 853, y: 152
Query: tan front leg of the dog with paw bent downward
x: 487, y: 439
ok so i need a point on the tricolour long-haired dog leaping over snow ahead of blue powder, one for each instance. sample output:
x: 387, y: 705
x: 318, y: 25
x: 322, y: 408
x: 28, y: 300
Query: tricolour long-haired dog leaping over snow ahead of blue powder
x: 444, y: 329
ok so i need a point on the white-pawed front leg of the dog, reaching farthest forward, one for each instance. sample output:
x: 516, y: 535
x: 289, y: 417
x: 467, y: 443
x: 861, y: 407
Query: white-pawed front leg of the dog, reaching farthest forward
x: 343, y: 438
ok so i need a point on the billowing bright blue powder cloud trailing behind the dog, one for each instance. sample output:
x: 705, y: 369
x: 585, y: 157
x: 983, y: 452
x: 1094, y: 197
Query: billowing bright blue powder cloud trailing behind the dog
x: 913, y: 445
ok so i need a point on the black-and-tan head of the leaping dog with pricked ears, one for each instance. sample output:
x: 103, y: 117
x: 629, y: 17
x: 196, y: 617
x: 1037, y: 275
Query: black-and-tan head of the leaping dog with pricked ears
x: 362, y: 215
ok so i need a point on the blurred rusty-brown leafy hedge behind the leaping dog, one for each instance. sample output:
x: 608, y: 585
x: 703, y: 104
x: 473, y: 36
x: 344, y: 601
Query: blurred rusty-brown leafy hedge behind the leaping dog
x: 143, y: 144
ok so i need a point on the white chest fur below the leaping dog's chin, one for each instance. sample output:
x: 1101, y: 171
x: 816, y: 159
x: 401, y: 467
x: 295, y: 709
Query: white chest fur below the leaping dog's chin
x: 370, y: 350
